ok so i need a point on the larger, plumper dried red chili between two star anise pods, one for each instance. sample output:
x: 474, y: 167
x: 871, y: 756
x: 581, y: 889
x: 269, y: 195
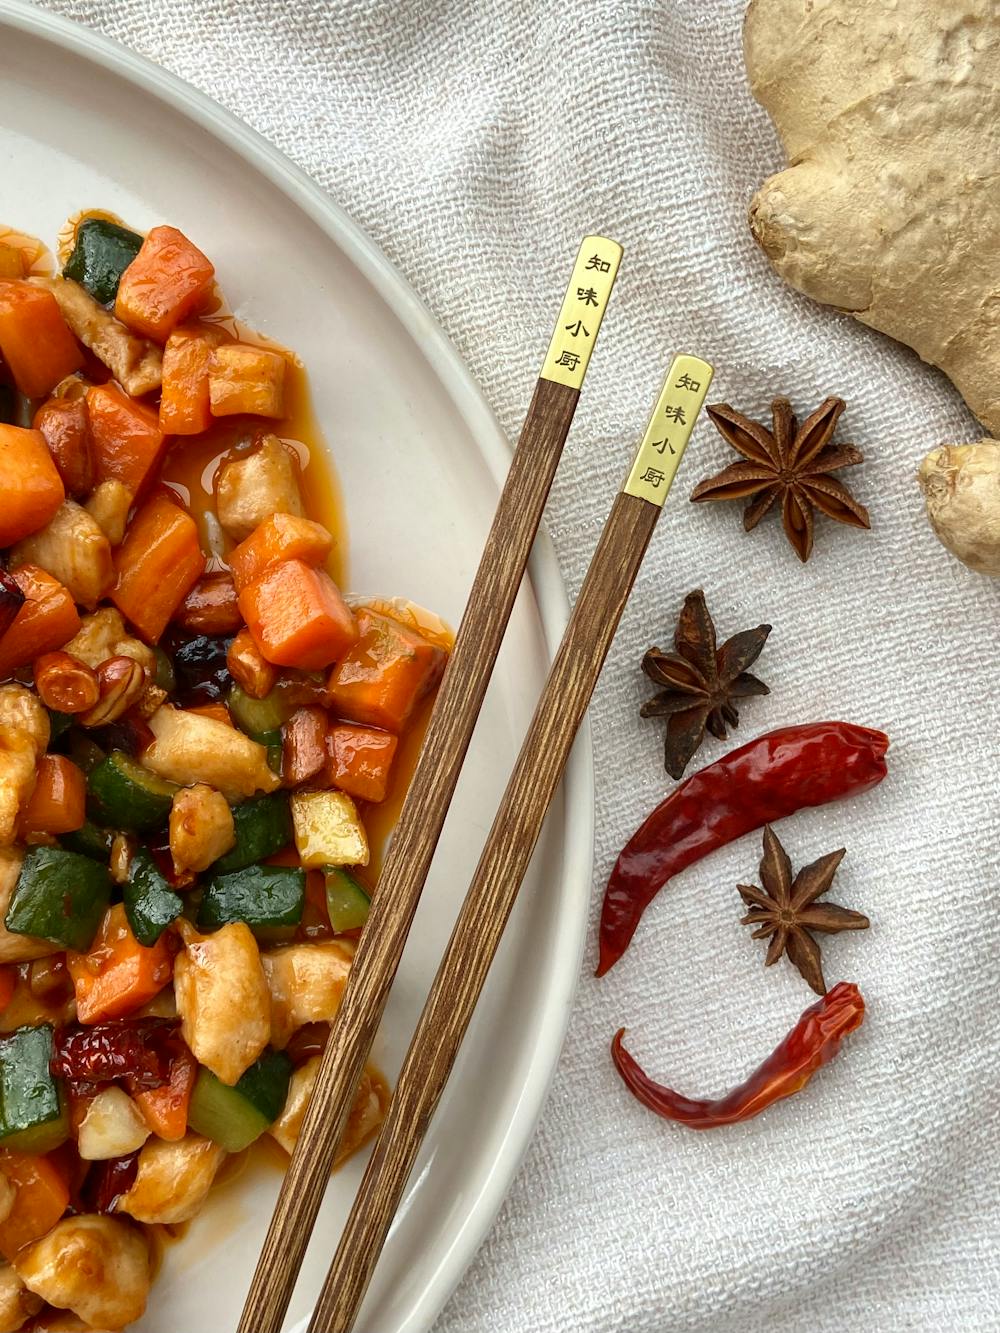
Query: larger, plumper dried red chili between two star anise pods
x: 757, y: 784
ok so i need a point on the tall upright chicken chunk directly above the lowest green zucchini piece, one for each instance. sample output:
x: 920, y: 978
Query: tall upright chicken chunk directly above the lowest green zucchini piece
x: 223, y: 999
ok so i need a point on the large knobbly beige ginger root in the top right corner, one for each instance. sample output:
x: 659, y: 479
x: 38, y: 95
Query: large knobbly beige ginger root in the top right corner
x: 890, y: 115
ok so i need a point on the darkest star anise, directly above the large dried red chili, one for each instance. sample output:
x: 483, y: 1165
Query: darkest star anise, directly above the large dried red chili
x: 699, y: 683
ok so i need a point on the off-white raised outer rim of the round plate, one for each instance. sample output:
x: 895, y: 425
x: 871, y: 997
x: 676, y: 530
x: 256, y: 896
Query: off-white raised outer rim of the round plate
x: 473, y: 1224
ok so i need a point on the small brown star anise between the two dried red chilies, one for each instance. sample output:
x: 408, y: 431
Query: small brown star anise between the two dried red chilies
x: 787, y: 914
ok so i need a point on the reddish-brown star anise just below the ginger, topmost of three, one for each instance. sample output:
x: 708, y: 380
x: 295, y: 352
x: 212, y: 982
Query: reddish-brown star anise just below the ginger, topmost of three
x: 790, y: 462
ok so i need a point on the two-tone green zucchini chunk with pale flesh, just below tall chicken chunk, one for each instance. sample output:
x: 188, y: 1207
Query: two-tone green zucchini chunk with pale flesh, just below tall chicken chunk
x: 234, y: 1118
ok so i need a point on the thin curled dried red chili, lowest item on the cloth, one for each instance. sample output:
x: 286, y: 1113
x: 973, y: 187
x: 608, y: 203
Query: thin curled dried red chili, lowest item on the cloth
x: 811, y: 1044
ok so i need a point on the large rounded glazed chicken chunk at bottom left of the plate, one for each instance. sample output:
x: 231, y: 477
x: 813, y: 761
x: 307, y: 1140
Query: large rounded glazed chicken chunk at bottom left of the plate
x: 95, y: 1267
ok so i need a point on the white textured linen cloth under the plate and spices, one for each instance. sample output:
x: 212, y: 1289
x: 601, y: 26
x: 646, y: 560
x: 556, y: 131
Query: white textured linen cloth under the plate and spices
x: 477, y: 143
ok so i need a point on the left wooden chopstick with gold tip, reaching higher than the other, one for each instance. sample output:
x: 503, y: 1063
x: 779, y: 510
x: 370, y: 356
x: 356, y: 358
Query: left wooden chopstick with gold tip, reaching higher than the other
x: 415, y: 838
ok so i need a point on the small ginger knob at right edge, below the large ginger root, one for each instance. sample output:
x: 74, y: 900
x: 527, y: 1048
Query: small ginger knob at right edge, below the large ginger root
x: 962, y: 489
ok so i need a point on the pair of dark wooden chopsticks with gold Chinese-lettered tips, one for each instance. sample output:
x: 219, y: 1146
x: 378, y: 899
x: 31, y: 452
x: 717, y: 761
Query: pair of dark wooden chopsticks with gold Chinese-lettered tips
x: 515, y: 831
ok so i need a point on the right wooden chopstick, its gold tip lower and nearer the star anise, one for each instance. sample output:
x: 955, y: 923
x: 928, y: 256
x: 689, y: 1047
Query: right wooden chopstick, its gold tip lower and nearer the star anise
x: 511, y: 843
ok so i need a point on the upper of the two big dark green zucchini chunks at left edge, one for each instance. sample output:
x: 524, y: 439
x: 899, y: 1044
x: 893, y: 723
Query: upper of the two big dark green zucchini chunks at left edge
x: 59, y: 896
